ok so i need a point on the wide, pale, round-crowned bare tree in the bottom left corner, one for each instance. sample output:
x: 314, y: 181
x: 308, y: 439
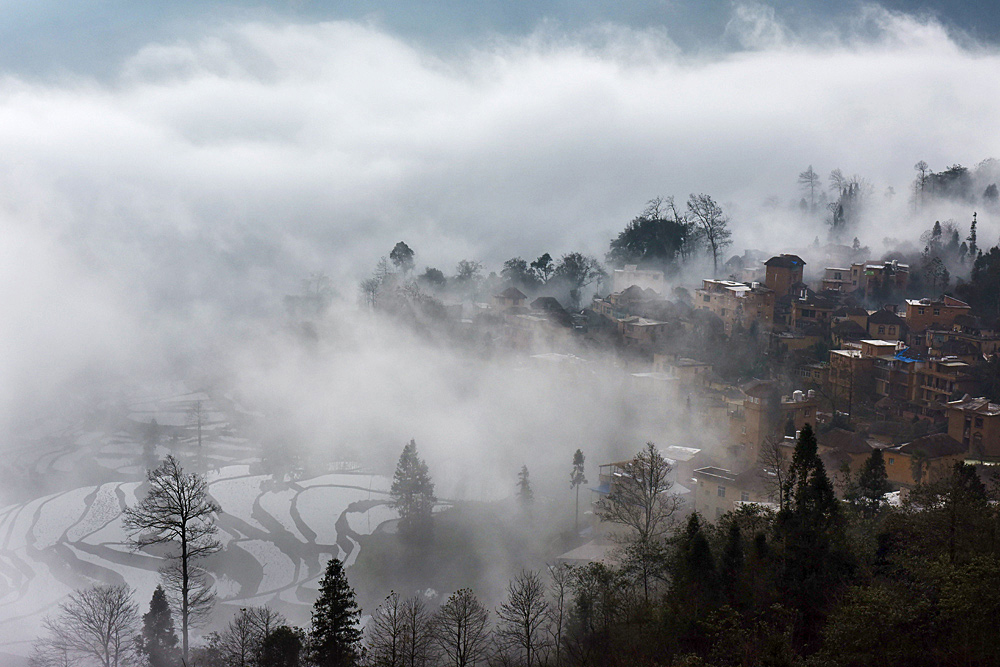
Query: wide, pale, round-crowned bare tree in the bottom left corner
x: 95, y: 626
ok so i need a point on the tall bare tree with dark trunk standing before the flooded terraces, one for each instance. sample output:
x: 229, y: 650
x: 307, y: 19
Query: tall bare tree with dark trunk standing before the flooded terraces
x: 178, y: 511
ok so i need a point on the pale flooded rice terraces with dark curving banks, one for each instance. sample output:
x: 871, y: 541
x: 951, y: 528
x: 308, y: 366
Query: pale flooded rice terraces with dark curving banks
x: 277, y: 534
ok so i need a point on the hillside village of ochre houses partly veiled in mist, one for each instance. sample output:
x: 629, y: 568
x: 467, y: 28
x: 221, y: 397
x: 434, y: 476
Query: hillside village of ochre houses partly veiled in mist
x: 845, y: 346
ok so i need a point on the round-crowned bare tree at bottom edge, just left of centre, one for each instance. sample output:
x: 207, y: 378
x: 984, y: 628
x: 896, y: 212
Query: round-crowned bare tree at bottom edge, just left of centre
x: 460, y: 630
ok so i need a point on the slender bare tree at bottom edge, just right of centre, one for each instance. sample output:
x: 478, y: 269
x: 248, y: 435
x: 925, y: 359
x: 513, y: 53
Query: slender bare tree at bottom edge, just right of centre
x: 523, y: 617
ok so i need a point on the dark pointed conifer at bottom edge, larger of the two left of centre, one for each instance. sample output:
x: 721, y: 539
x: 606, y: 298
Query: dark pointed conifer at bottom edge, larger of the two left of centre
x: 335, y: 634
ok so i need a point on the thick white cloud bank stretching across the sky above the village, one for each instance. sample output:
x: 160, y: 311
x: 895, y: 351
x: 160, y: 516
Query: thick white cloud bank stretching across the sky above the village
x: 172, y: 207
